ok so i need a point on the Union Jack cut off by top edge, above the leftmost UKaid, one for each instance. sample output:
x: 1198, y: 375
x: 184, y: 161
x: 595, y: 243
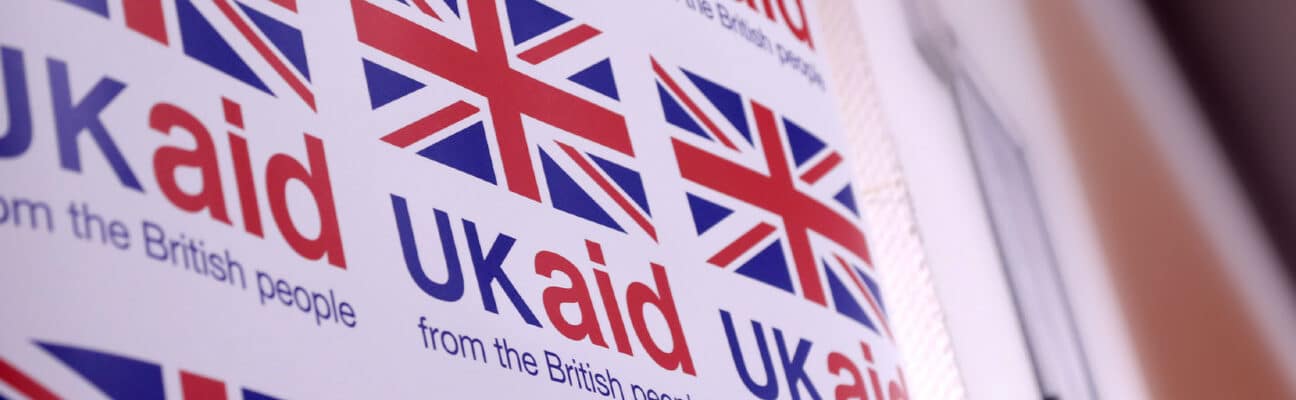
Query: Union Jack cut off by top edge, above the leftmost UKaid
x: 225, y: 36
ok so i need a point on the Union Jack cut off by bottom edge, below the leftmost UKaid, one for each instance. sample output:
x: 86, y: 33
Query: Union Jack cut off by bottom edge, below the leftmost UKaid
x: 117, y: 377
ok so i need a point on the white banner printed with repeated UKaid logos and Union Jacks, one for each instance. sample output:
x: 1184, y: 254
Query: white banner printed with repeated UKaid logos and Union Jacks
x: 430, y: 199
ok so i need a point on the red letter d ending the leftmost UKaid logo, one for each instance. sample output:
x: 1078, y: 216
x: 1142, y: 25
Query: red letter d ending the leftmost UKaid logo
x: 279, y: 172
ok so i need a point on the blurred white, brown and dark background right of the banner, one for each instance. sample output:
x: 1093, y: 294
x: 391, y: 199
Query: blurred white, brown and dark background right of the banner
x: 1104, y: 191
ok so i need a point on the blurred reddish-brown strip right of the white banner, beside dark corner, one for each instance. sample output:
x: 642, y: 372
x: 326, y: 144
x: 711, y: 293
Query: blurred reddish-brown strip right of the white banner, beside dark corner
x: 1194, y: 335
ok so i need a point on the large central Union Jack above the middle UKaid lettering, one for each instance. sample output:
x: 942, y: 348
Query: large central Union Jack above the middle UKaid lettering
x: 493, y: 64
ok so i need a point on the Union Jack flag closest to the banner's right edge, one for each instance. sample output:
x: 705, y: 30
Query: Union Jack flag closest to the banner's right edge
x: 763, y: 187
